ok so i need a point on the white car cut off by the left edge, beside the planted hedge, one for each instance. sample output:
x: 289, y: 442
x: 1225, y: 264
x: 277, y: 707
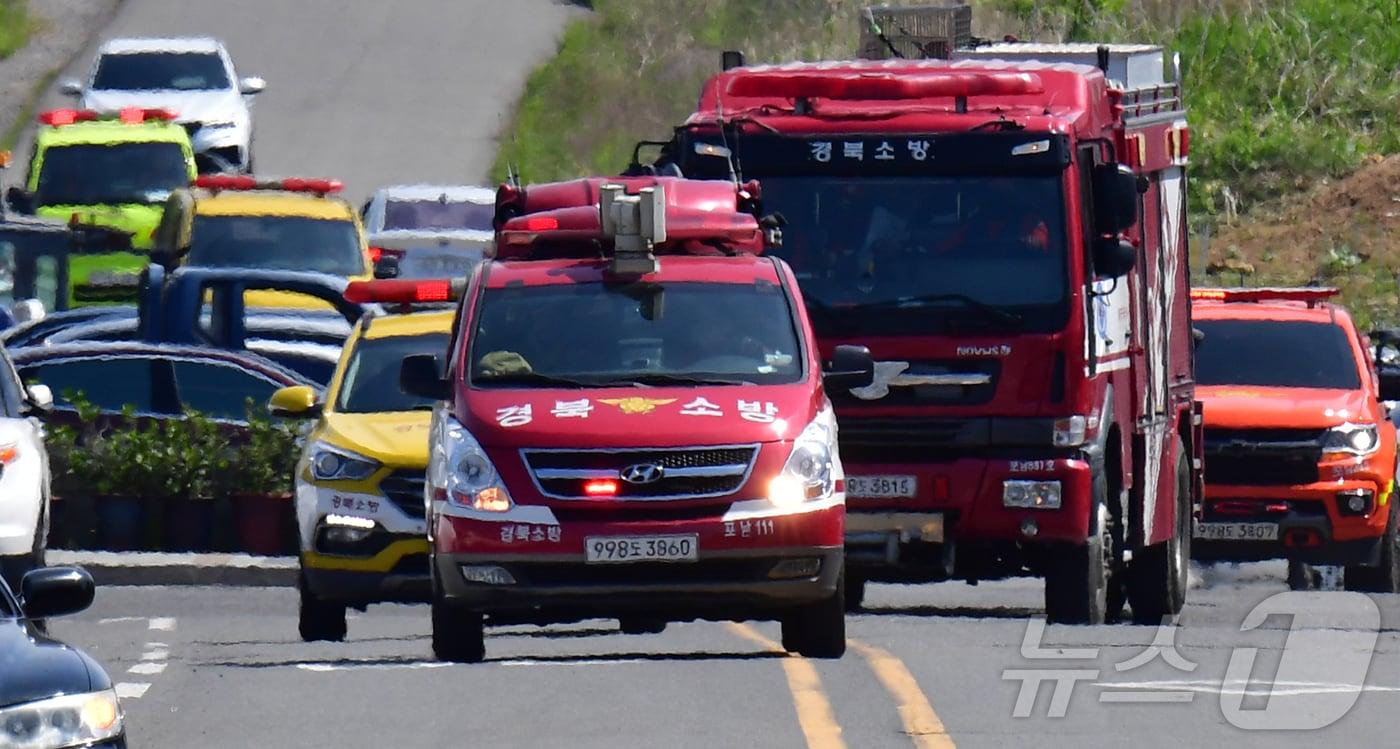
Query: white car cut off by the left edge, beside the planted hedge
x: 24, y: 475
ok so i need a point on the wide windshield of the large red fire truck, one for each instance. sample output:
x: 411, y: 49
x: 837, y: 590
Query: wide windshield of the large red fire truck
x: 902, y: 255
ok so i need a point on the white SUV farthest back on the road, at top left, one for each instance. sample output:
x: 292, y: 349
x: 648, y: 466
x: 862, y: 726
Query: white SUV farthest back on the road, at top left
x: 194, y: 78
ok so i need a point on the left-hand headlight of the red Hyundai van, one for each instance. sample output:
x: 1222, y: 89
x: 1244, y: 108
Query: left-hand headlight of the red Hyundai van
x: 460, y: 471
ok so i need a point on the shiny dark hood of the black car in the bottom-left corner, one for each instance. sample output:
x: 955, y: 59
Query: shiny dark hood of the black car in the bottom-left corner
x: 34, y: 667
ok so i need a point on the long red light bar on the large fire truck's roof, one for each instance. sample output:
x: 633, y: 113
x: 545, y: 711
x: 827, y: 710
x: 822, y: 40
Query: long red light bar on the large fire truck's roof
x: 883, y: 86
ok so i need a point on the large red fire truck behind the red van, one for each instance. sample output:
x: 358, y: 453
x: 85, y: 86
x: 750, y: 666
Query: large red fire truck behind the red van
x: 1006, y: 232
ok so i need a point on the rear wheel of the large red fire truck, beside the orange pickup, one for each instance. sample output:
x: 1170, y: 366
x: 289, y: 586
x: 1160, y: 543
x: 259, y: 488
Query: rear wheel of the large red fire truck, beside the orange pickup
x: 1158, y: 576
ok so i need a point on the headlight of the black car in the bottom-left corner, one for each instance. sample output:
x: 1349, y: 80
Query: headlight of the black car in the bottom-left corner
x: 73, y: 720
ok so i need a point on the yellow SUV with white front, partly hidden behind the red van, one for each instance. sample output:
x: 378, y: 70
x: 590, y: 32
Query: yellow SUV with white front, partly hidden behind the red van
x: 360, y: 509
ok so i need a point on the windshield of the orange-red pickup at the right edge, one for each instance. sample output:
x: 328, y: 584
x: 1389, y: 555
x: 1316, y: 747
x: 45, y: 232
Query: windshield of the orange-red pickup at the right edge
x: 1275, y: 355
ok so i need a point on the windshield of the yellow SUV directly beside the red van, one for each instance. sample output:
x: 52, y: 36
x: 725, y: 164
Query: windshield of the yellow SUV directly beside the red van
x: 377, y: 362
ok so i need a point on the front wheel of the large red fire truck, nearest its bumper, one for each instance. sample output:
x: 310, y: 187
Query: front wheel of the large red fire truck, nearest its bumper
x: 1079, y: 579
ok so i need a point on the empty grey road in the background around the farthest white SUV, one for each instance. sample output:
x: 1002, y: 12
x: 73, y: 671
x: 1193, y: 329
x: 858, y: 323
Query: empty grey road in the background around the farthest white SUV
x: 366, y: 92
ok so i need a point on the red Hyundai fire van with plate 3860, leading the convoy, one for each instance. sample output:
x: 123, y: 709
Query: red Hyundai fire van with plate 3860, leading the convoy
x: 633, y: 425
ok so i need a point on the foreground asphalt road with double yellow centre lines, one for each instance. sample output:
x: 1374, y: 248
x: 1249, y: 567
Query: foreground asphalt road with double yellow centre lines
x: 927, y: 667
